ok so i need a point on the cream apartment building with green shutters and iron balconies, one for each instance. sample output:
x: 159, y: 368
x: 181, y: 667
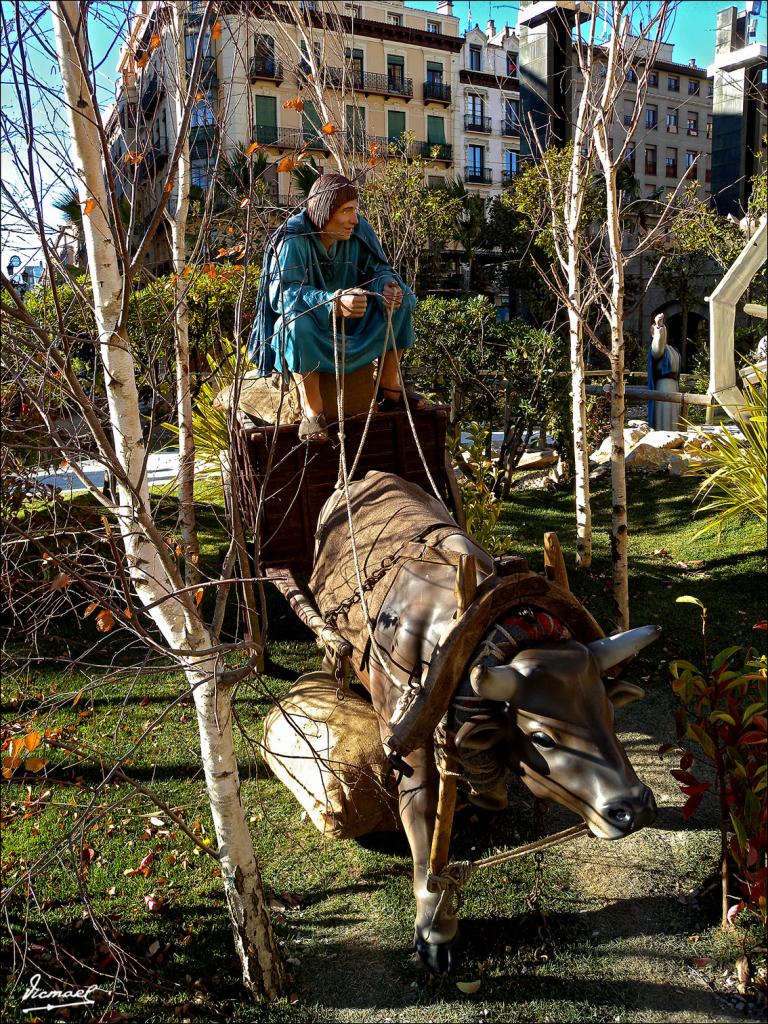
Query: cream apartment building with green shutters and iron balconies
x: 386, y: 70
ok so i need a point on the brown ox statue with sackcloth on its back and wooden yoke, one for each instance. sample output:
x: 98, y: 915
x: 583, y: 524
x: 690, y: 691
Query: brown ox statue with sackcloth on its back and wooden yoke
x: 503, y: 673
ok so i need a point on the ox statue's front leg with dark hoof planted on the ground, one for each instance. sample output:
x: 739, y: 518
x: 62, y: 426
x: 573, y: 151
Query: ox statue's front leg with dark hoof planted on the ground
x: 437, y: 924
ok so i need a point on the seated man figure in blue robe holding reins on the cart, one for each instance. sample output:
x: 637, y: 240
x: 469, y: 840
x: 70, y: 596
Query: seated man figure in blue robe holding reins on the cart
x: 328, y: 251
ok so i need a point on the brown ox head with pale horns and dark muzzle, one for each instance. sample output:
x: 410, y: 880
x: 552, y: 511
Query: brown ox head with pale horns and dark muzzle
x: 566, y: 747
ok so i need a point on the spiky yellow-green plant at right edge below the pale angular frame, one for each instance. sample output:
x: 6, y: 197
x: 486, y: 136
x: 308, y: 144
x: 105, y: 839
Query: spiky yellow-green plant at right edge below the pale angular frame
x: 735, y: 470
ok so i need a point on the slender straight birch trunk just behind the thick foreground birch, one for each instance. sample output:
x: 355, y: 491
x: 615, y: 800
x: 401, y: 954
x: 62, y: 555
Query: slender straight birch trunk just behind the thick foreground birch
x: 182, y: 314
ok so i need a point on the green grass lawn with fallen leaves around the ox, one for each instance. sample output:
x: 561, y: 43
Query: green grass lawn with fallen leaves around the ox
x: 344, y: 911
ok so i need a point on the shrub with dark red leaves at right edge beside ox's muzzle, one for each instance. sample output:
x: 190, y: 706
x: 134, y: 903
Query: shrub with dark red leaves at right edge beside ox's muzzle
x: 724, y: 712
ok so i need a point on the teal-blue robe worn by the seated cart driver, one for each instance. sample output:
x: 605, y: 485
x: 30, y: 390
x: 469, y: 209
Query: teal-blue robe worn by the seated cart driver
x: 293, y: 327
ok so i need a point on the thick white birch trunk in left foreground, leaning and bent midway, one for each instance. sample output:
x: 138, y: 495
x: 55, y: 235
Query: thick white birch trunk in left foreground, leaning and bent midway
x: 153, y: 573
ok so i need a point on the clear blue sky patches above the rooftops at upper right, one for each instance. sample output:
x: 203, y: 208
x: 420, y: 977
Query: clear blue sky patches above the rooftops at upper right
x: 693, y: 33
